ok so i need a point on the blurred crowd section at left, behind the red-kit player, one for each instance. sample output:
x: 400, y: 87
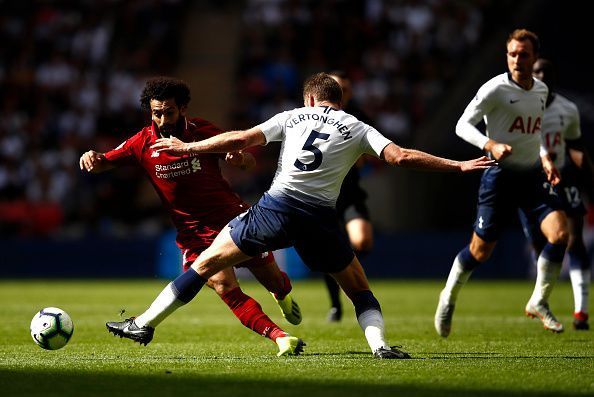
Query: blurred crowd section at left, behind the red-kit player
x: 70, y: 77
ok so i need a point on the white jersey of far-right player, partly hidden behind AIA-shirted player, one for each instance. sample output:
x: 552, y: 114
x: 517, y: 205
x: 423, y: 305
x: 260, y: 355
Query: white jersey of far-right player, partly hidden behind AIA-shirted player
x: 561, y: 121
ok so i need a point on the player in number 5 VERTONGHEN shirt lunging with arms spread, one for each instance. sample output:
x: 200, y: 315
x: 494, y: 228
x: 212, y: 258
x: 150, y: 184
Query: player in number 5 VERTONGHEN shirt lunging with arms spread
x: 320, y: 143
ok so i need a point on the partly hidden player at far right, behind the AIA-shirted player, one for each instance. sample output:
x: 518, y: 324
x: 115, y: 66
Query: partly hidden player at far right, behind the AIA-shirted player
x: 562, y: 137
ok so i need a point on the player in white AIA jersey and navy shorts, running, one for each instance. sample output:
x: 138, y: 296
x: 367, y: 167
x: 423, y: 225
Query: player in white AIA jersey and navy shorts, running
x: 512, y: 105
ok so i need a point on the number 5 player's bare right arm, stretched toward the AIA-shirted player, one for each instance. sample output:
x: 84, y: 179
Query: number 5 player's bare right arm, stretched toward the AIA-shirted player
x: 410, y: 158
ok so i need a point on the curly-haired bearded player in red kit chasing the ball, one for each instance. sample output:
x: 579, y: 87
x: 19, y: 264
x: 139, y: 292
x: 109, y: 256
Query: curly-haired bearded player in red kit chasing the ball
x: 200, y: 203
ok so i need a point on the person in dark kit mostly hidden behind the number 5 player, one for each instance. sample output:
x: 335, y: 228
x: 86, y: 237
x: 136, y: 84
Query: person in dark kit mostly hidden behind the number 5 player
x: 351, y: 205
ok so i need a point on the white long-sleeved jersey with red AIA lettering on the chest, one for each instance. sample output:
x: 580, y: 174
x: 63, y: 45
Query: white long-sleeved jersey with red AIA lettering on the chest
x: 513, y: 116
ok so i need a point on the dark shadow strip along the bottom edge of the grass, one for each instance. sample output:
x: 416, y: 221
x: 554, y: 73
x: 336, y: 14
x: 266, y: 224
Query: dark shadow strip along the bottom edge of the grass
x: 167, y: 383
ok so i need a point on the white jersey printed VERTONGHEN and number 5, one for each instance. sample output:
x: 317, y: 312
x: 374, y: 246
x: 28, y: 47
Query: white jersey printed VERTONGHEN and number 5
x: 319, y: 146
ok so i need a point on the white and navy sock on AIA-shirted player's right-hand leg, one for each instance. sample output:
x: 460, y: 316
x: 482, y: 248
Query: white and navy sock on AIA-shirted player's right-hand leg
x: 548, y: 268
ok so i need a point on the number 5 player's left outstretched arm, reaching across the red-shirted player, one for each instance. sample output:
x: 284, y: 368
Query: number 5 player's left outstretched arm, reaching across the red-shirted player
x: 232, y: 141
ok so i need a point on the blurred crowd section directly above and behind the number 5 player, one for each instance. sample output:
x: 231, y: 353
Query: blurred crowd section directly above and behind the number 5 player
x: 401, y: 56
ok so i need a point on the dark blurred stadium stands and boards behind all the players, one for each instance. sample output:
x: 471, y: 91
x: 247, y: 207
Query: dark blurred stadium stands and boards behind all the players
x: 71, y: 73
